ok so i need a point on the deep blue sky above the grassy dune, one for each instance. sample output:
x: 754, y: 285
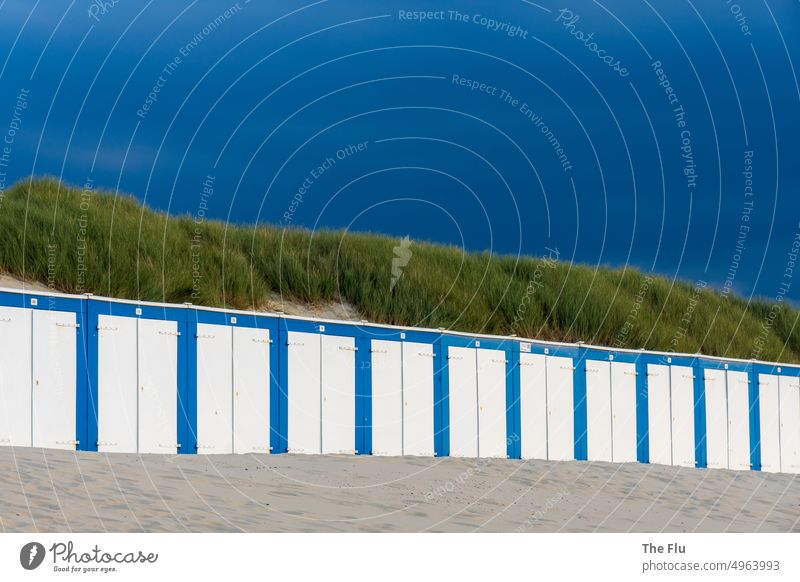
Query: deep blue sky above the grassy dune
x: 263, y: 97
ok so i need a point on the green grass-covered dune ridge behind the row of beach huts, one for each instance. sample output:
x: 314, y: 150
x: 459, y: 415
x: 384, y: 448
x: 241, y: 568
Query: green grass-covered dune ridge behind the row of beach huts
x: 106, y: 244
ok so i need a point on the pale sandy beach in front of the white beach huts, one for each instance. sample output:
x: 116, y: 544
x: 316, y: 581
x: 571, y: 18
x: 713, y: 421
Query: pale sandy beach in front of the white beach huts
x: 57, y: 491
